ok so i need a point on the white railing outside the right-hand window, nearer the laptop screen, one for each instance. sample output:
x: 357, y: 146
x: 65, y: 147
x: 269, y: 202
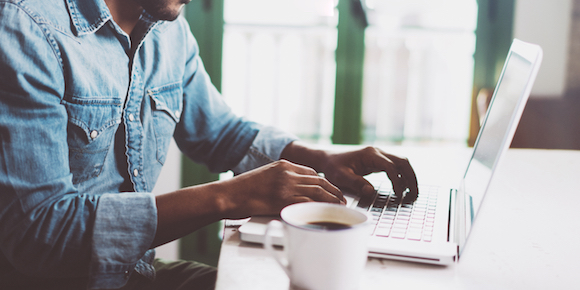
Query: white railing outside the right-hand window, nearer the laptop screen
x: 417, y: 85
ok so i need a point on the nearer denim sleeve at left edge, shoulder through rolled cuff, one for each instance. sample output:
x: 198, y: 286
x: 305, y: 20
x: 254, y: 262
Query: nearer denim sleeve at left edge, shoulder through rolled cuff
x: 47, y: 227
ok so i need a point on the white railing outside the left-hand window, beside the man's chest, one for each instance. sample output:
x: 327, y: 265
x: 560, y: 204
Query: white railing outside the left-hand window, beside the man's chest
x: 282, y: 76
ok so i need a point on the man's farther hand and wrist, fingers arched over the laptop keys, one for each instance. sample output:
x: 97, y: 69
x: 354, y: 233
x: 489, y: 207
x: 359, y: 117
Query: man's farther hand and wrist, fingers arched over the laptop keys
x: 346, y: 169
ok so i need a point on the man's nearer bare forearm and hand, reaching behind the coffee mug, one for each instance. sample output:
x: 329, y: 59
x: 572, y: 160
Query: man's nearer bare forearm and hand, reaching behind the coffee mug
x: 262, y: 191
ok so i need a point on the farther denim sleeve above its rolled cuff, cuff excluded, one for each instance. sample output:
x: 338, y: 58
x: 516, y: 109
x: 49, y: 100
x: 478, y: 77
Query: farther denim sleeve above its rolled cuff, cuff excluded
x: 208, y: 131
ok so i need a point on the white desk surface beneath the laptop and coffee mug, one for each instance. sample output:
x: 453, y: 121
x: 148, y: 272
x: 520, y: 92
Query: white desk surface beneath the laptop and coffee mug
x: 526, y: 236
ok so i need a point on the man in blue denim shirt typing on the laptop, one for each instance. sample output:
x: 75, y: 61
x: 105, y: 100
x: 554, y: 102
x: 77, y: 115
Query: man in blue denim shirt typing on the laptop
x: 91, y: 91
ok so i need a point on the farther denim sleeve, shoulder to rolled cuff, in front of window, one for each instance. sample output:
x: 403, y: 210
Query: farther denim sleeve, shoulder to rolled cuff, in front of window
x: 210, y: 133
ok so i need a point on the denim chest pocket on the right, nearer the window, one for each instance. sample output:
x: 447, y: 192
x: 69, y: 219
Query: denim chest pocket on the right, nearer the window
x: 167, y: 106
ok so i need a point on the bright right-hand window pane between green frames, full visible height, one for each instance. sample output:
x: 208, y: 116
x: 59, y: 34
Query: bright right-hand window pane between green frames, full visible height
x: 418, y: 70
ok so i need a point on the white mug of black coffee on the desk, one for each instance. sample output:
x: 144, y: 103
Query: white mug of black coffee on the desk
x: 325, y: 245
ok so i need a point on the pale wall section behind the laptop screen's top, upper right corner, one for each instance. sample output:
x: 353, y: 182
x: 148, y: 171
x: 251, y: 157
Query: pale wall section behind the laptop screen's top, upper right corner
x: 547, y: 23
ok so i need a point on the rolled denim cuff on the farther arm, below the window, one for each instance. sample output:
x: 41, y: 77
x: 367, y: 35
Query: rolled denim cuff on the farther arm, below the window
x: 266, y: 147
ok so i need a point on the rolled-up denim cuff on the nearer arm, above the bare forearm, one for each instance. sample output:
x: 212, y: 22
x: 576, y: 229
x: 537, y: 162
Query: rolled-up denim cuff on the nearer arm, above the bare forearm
x: 125, y: 226
